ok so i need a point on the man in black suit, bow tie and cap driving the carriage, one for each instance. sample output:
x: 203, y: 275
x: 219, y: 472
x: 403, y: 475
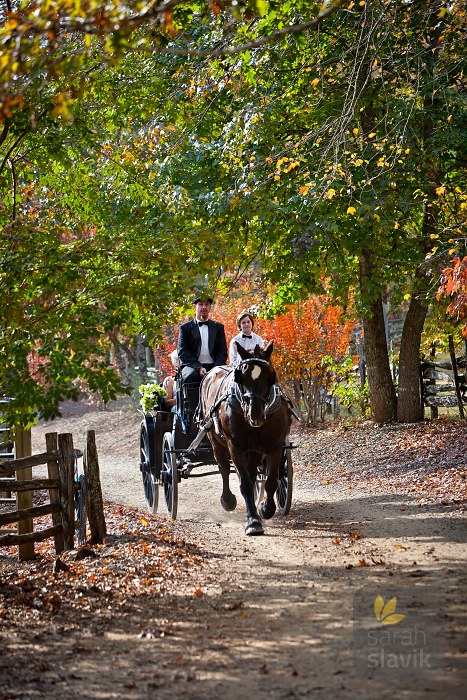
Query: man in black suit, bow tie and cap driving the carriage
x: 201, y: 346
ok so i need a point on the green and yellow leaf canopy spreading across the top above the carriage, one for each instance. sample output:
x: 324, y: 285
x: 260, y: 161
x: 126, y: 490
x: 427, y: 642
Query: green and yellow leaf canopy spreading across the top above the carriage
x: 148, y: 148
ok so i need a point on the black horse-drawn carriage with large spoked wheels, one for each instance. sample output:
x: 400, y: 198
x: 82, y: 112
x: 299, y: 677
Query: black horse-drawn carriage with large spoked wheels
x: 173, y: 447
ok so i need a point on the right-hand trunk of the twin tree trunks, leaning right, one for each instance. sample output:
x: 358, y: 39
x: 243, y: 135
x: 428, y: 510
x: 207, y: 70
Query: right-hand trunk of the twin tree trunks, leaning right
x: 409, y: 404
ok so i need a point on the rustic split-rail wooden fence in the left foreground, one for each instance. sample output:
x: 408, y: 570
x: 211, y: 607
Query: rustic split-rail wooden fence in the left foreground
x: 63, y: 487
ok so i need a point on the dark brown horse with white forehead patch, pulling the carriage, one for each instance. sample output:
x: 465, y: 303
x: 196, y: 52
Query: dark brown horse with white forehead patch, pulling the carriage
x: 248, y: 420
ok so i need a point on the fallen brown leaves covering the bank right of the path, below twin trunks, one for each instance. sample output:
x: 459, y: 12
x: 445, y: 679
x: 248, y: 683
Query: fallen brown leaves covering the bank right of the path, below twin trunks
x: 427, y: 460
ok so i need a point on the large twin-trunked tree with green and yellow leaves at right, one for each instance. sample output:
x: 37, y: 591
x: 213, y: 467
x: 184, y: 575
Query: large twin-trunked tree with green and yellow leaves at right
x: 340, y: 168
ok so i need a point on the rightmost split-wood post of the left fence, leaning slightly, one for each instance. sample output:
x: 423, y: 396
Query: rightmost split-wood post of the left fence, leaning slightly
x: 94, y: 504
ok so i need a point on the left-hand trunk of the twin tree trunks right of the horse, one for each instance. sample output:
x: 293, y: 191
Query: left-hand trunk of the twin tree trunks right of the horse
x: 383, y: 399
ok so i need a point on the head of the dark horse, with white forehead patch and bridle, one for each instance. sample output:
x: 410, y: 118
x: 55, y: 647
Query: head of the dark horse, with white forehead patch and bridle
x: 255, y: 376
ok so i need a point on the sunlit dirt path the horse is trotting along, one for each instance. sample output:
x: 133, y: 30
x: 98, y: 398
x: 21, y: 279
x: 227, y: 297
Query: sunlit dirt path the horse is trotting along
x: 290, y: 614
